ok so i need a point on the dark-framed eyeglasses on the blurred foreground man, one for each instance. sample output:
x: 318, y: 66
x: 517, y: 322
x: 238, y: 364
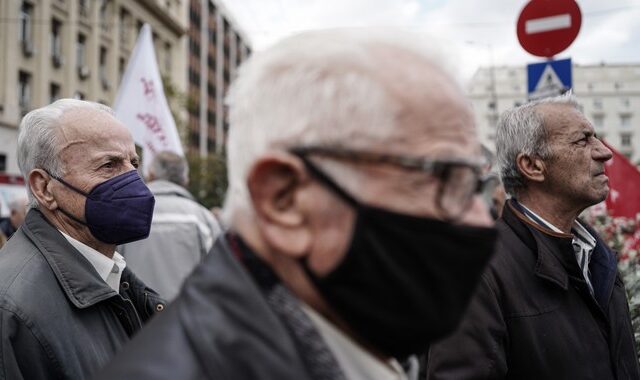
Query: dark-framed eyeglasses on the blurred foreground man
x: 459, y: 179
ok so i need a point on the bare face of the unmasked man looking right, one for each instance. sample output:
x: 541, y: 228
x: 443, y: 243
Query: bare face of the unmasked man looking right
x: 575, y: 170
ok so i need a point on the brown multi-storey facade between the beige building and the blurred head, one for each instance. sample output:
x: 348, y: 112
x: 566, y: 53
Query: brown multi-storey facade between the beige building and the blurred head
x: 217, y: 46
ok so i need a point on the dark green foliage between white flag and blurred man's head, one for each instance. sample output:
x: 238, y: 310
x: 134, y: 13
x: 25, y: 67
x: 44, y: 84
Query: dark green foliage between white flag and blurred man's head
x: 207, y: 178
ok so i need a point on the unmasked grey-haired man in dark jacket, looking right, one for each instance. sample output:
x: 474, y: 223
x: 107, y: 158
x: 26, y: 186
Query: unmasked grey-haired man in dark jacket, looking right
x: 551, y: 304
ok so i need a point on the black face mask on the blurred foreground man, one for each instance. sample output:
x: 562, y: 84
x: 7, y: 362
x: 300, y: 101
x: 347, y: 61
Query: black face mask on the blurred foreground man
x: 405, y: 280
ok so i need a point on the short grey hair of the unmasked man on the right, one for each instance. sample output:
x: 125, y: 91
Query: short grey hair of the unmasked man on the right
x: 522, y: 130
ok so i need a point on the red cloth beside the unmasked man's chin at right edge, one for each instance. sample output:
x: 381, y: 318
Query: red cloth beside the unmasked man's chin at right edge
x: 624, y: 186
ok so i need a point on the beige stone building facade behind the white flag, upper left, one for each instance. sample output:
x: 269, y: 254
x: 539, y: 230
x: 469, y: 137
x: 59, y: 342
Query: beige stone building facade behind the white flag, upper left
x: 78, y: 48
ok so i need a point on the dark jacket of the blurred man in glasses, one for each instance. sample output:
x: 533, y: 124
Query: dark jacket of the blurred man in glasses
x: 219, y: 327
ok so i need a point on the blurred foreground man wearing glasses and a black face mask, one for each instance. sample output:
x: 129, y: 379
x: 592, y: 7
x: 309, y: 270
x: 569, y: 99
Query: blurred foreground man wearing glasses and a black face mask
x: 357, y: 232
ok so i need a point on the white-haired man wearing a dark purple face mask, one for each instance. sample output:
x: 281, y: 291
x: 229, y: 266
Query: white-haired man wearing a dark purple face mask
x: 67, y: 300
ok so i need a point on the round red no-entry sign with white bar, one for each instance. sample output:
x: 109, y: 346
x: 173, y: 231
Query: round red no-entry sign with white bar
x: 547, y: 27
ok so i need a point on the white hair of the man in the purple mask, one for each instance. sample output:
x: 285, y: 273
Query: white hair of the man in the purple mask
x: 38, y: 138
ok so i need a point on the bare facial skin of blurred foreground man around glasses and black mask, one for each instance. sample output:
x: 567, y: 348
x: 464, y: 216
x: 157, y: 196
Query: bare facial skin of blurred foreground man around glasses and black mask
x: 435, y: 122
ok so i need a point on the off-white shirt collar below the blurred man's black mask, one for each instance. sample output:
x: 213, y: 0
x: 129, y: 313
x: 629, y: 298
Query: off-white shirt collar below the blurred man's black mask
x: 355, y: 361
